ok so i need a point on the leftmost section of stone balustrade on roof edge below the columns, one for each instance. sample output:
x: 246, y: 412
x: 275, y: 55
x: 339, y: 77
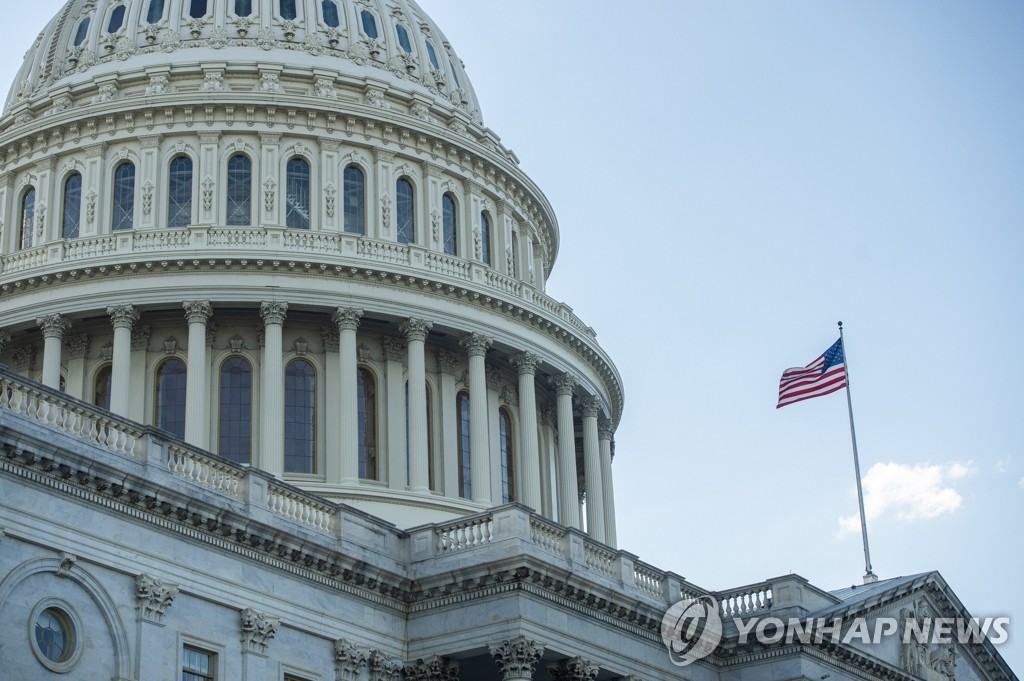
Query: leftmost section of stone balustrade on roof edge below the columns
x: 75, y: 418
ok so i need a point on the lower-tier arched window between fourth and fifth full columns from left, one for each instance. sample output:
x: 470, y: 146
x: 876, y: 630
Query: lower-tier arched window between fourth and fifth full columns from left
x: 301, y: 418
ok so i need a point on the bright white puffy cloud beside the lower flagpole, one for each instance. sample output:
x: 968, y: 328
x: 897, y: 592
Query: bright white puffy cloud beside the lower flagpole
x: 918, y: 492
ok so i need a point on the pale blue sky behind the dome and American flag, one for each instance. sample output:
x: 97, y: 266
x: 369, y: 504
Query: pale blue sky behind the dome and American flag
x: 732, y: 179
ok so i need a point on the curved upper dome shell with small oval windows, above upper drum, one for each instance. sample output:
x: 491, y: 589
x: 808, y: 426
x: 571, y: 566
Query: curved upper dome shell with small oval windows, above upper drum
x: 390, y: 42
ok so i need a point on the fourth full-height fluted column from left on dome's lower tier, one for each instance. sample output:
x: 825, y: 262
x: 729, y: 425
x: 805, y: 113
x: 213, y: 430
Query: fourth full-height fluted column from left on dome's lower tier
x: 273, y: 396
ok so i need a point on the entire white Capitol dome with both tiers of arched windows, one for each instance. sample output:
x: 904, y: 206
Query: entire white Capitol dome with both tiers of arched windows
x: 279, y: 232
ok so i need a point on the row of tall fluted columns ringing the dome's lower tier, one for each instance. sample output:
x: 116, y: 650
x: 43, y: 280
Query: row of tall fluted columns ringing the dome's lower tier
x: 343, y: 465
